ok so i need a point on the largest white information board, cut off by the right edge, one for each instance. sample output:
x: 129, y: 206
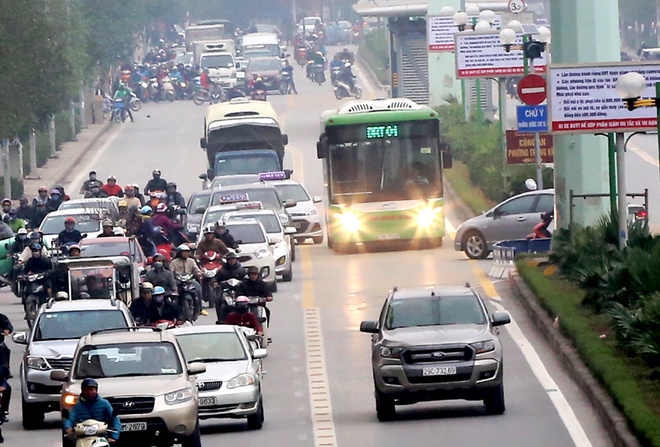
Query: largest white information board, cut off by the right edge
x: 583, y: 98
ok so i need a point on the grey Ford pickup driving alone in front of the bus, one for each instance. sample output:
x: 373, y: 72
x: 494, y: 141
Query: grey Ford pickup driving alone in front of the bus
x: 436, y: 343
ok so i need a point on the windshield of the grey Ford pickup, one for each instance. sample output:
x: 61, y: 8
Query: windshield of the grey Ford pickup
x: 434, y: 311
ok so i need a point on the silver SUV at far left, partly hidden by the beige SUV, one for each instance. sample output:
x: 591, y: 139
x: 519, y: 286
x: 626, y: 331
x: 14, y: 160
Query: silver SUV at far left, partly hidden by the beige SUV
x: 51, y: 344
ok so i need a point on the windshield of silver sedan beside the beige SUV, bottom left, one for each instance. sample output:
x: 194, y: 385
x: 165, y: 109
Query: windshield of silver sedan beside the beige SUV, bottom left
x: 212, y: 347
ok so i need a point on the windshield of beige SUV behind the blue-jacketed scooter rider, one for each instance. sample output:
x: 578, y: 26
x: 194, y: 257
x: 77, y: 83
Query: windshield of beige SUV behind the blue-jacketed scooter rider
x: 127, y: 360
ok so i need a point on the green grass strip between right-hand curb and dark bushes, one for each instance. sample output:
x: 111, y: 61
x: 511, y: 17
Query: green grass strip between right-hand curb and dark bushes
x: 619, y: 374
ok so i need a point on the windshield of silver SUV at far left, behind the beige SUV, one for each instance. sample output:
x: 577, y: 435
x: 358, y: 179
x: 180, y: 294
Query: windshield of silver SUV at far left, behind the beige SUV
x: 74, y: 324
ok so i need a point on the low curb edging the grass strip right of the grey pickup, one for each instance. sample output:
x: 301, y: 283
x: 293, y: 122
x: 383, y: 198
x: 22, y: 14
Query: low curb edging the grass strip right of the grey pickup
x: 611, y: 418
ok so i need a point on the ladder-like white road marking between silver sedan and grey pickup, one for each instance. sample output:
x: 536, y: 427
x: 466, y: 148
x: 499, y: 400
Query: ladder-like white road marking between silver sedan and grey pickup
x: 323, y: 424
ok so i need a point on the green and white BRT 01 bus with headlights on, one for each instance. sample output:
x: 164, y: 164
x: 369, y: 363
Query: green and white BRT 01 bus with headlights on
x: 382, y: 168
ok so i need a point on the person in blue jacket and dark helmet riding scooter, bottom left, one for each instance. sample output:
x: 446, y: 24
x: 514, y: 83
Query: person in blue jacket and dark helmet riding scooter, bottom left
x: 92, y: 406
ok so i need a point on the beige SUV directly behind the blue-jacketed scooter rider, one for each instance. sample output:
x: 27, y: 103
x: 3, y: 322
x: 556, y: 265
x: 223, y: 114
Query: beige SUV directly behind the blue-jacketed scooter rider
x: 144, y: 375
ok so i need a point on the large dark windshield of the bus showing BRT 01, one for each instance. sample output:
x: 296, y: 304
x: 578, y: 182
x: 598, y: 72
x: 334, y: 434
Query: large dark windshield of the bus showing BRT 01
x: 382, y: 162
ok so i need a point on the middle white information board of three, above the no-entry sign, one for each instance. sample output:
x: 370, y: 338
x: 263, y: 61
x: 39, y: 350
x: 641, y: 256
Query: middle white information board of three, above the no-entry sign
x: 482, y: 55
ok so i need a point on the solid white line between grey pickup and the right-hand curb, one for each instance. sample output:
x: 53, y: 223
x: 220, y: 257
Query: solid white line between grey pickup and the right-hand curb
x: 557, y: 398
